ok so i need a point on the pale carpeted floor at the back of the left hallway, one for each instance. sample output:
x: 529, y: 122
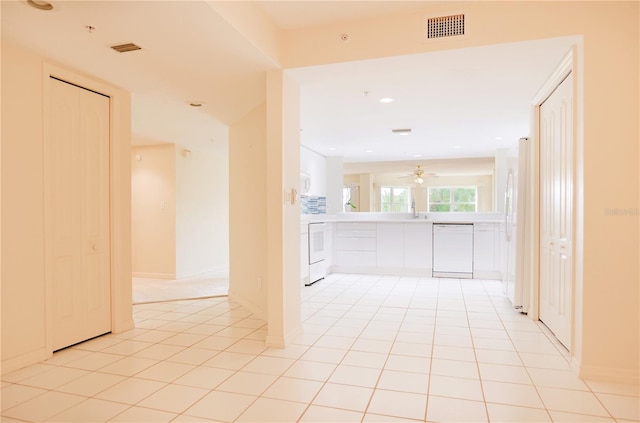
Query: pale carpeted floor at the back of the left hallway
x: 149, y: 290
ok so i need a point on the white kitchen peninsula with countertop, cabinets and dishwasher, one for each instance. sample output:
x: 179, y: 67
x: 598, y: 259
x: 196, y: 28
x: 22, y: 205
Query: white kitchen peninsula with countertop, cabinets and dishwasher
x: 404, y: 243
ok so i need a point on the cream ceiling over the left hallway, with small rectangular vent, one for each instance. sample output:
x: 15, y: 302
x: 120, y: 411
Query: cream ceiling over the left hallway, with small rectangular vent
x: 189, y: 53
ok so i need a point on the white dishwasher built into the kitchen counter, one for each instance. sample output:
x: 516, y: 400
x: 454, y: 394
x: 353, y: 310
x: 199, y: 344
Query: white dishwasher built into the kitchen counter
x: 453, y: 250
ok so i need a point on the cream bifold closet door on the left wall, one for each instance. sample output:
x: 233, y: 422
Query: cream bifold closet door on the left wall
x: 77, y: 186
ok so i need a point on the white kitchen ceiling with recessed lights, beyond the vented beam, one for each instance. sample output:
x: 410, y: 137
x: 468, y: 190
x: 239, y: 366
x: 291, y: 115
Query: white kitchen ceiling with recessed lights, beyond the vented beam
x: 458, y: 103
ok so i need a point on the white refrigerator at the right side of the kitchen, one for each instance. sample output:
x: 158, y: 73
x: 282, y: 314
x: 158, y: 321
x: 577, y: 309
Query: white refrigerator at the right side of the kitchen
x: 515, y: 285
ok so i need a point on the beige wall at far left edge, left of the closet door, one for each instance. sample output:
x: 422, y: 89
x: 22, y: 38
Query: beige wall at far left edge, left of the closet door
x: 23, y: 295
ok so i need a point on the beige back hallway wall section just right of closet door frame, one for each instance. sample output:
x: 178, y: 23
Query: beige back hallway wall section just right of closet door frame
x: 153, y: 211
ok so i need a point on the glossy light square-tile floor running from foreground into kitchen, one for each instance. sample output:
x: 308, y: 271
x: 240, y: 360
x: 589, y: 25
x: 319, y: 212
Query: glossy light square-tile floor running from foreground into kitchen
x: 374, y: 349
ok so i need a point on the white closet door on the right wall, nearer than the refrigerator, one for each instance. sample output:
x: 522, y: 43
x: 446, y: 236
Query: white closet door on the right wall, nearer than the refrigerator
x: 556, y: 210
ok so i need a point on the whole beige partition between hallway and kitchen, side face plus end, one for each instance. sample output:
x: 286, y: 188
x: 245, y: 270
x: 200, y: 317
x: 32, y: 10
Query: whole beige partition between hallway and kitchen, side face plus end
x: 264, y: 214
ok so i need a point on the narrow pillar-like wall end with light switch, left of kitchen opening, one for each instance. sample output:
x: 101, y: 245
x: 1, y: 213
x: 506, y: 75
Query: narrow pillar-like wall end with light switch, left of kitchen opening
x: 283, y: 214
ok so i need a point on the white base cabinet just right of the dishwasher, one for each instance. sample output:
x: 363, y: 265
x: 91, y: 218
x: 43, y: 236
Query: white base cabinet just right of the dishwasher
x: 486, y: 250
